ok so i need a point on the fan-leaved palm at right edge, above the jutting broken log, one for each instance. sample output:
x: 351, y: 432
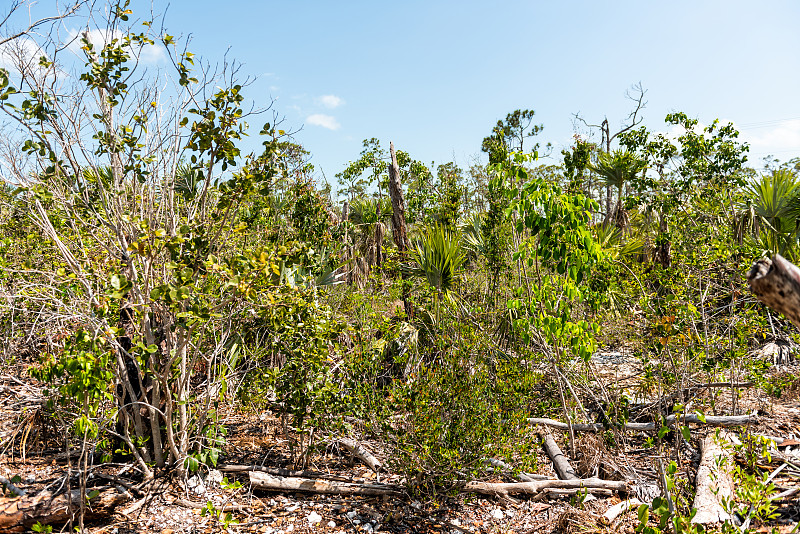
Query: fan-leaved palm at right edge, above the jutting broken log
x: 771, y: 211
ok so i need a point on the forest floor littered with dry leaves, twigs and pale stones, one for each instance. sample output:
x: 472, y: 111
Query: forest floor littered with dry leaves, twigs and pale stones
x: 30, y: 450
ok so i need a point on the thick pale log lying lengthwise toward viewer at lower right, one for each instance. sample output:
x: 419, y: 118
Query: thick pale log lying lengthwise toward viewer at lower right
x: 714, y: 482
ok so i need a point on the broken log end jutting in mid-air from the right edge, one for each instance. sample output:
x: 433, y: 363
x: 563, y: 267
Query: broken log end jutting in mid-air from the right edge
x: 776, y: 283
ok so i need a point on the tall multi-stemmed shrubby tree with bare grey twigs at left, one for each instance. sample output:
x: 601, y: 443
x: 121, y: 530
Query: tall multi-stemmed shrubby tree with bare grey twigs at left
x: 140, y: 204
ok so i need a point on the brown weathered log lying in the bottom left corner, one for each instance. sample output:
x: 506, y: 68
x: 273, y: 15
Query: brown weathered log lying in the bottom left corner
x: 18, y: 514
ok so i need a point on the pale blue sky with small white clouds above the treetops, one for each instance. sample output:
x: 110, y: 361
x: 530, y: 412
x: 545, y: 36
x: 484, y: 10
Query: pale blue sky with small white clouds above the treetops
x: 434, y: 76
